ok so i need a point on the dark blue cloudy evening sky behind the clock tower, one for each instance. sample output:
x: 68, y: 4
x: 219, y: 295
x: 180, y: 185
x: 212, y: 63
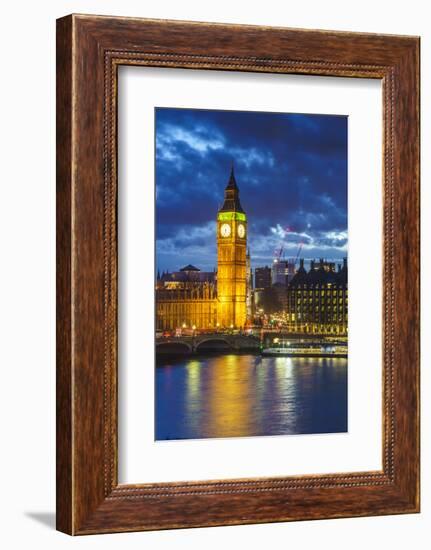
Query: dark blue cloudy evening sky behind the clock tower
x: 291, y: 170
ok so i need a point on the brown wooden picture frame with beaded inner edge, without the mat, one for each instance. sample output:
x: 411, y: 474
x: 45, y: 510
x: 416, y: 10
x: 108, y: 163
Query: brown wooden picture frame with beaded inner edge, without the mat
x: 89, y: 51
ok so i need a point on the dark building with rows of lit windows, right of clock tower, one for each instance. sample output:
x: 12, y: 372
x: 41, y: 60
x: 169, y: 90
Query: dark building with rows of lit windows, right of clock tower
x: 317, y: 300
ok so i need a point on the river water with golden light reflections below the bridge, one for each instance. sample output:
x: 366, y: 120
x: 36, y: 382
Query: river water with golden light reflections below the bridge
x: 249, y: 395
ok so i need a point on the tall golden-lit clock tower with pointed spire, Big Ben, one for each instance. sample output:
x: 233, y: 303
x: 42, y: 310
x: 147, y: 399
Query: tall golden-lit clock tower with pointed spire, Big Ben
x: 231, y: 259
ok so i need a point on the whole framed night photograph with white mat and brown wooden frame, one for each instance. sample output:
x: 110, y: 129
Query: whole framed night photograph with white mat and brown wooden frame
x: 237, y: 274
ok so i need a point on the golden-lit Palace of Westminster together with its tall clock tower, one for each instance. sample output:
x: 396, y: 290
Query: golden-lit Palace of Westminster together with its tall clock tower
x: 207, y: 300
